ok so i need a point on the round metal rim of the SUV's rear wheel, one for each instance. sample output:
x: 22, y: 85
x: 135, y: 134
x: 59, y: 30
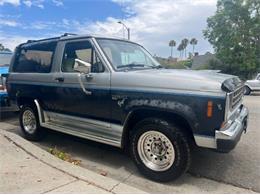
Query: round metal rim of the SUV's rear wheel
x: 29, y: 121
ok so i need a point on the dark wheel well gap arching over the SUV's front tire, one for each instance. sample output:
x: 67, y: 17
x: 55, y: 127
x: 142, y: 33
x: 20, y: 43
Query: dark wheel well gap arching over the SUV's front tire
x: 139, y: 115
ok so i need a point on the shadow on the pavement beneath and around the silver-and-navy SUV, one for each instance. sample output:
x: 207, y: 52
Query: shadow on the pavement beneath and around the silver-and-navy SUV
x: 114, y: 163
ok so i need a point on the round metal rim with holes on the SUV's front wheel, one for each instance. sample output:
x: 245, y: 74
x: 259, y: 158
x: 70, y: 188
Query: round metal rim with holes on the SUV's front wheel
x: 156, y: 151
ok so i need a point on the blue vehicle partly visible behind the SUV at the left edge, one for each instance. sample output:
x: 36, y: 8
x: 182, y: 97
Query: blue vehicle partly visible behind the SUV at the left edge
x: 5, y: 58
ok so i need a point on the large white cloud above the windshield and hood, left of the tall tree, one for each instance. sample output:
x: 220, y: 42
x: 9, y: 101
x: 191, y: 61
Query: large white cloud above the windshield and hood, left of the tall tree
x: 153, y: 23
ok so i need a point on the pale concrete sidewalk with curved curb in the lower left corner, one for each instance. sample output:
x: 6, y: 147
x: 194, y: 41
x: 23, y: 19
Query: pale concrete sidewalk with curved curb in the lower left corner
x: 25, y: 168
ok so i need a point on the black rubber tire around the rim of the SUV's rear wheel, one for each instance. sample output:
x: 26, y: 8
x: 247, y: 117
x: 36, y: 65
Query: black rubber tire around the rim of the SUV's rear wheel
x: 36, y: 134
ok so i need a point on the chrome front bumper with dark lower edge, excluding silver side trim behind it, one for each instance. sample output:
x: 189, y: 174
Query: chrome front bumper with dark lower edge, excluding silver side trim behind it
x: 227, y: 137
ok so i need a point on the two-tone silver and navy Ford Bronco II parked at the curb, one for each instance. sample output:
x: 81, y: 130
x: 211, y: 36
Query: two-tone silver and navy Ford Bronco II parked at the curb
x: 113, y: 91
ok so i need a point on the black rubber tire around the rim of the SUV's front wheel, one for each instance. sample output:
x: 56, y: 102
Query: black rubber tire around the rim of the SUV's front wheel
x: 178, y: 139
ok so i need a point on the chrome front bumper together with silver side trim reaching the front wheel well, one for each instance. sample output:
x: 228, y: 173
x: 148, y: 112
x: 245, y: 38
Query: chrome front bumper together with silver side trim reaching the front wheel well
x: 227, y: 137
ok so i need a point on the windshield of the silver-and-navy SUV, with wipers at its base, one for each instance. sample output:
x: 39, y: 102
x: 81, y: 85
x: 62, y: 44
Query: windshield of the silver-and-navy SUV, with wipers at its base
x: 125, y: 55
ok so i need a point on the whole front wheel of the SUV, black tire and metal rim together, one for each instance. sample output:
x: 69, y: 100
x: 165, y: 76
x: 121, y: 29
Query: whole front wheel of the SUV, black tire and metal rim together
x: 160, y: 150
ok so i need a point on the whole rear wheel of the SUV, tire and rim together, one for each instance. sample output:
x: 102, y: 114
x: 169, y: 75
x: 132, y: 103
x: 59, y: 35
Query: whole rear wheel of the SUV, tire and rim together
x: 29, y: 123
